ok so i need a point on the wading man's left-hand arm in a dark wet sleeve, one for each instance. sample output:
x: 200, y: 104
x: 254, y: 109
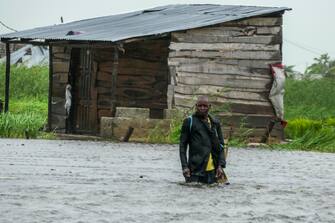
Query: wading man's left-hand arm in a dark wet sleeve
x: 184, y: 141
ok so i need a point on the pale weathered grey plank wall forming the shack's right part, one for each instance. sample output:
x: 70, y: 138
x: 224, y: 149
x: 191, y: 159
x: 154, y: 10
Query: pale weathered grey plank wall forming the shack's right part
x: 230, y: 63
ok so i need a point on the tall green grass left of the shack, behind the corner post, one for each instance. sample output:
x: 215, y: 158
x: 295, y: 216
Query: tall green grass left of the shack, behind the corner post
x: 28, y: 104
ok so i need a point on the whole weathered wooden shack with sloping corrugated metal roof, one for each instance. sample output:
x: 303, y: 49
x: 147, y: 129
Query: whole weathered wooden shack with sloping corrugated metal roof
x: 162, y: 58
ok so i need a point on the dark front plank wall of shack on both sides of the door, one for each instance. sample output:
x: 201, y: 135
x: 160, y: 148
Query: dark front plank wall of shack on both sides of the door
x: 142, y: 78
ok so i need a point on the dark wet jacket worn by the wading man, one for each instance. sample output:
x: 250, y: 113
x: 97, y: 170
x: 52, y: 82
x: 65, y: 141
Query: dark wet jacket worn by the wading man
x: 201, y: 140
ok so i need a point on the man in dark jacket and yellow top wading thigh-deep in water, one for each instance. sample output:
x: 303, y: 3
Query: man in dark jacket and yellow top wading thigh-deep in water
x: 204, y: 136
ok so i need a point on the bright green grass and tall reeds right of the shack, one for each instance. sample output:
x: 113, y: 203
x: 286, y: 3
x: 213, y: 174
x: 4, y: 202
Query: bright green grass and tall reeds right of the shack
x: 309, y: 109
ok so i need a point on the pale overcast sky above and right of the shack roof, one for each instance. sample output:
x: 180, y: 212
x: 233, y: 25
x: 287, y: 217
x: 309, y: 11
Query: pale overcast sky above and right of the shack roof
x: 308, y: 29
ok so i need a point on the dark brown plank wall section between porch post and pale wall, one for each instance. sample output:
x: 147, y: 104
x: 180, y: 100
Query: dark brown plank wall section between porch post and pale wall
x: 143, y: 74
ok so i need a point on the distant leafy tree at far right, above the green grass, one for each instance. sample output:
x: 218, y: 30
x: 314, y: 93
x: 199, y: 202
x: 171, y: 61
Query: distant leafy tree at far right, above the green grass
x: 323, y: 66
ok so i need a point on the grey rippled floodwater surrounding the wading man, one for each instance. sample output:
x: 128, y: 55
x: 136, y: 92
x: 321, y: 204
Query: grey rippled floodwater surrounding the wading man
x: 78, y: 181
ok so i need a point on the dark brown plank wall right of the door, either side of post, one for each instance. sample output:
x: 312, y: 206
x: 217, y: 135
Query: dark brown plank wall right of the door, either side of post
x: 142, y: 76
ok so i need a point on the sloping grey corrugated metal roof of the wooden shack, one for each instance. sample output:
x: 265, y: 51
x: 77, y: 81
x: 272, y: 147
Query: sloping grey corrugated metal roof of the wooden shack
x: 149, y: 22
